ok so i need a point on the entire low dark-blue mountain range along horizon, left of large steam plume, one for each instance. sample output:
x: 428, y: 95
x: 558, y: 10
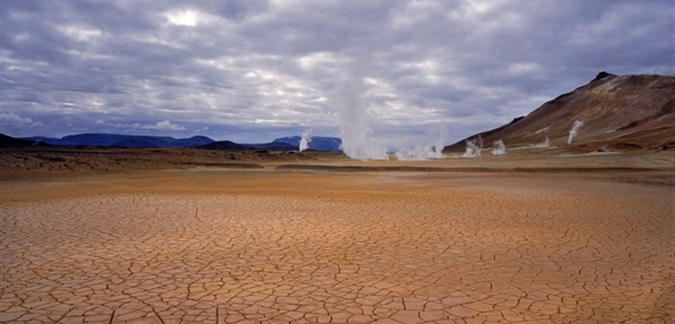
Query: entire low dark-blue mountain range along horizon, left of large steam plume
x: 290, y: 143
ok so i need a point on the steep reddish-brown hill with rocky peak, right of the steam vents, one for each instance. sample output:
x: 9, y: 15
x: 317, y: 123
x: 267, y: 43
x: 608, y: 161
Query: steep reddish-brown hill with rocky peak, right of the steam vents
x: 629, y: 111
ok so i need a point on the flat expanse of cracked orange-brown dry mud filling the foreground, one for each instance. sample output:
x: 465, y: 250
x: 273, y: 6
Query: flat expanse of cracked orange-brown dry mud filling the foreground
x: 225, y: 246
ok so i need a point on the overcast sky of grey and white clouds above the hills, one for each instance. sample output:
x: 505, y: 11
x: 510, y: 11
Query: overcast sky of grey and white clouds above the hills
x: 253, y: 70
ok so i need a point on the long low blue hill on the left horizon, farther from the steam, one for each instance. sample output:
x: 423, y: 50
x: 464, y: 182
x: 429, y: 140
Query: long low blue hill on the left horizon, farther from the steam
x: 117, y: 140
